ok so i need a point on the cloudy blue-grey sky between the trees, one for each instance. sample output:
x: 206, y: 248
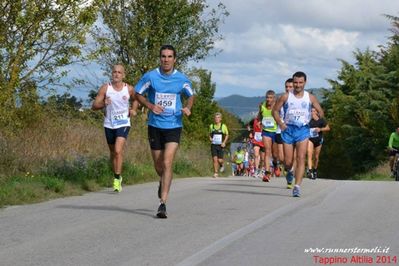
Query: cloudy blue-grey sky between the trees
x: 266, y: 41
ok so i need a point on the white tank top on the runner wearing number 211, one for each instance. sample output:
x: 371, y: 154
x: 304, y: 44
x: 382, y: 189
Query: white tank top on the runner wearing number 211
x: 117, y: 113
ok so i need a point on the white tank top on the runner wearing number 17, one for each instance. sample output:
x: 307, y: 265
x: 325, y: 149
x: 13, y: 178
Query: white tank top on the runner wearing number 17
x: 297, y: 111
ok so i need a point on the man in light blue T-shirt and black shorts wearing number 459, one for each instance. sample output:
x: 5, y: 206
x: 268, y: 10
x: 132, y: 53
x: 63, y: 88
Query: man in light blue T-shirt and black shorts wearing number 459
x: 164, y: 87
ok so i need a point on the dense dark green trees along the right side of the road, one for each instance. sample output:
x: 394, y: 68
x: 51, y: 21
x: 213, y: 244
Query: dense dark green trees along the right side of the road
x: 362, y: 110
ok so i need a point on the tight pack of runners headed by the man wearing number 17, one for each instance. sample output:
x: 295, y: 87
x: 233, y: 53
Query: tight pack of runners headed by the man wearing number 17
x: 284, y: 132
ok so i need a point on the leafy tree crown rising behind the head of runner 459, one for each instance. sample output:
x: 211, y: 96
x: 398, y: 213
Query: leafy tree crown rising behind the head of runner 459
x: 135, y: 30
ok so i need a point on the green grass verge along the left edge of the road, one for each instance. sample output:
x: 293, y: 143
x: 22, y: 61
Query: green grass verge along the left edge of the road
x: 70, y: 178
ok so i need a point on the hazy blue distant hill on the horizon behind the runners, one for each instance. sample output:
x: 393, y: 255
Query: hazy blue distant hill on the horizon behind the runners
x: 247, y: 107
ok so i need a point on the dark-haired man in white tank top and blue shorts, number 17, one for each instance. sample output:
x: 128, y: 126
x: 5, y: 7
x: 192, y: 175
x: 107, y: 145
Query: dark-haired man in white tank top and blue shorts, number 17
x: 294, y: 127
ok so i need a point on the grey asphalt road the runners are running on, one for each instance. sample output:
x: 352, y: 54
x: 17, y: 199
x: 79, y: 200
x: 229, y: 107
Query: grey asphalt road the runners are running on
x: 224, y: 221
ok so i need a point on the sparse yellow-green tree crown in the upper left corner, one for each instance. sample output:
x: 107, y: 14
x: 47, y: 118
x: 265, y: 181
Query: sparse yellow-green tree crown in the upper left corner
x: 37, y: 39
